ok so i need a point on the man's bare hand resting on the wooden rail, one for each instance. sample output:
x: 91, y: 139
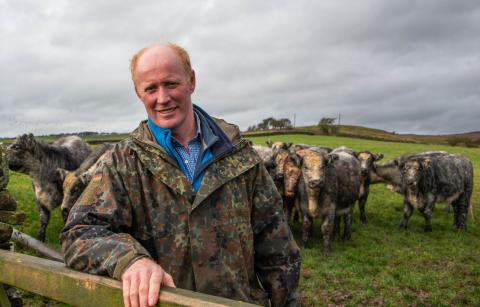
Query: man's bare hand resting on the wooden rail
x: 141, y: 283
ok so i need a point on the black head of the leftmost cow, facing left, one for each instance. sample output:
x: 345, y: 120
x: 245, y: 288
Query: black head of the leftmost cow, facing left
x: 21, y: 152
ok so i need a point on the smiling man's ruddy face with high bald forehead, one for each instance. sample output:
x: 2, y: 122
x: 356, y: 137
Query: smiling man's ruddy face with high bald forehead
x: 165, y: 89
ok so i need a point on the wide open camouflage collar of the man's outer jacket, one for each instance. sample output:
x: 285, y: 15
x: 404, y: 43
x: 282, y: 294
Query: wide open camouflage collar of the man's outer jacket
x: 225, y: 165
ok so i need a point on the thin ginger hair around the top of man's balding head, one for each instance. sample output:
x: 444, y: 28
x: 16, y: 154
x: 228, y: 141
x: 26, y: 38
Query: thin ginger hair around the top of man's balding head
x: 160, y: 50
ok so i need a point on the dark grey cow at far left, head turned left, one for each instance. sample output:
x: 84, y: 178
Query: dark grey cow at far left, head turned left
x: 40, y: 161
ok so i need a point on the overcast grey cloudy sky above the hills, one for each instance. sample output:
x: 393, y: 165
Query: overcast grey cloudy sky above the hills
x: 401, y: 65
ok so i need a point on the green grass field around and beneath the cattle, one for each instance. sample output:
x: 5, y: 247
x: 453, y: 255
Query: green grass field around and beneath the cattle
x: 381, y: 265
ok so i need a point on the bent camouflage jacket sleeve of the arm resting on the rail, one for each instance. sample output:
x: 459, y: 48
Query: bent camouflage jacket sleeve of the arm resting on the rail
x: 95, y: 238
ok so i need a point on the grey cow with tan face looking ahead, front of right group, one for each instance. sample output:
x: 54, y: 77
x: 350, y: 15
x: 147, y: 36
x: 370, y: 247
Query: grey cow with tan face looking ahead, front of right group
x: 328, y: 188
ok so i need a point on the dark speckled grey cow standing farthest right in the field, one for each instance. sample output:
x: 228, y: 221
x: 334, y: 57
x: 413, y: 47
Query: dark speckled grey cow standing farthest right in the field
x: 429, y: 179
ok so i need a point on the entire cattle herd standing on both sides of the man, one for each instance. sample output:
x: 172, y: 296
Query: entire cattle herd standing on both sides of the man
x: 315, y: 182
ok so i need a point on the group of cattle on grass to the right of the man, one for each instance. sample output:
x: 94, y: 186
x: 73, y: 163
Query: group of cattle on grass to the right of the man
x: 326, y: 183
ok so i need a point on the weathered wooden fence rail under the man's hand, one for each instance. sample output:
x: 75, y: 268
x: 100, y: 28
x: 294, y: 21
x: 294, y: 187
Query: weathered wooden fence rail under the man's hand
x: 54, y: 280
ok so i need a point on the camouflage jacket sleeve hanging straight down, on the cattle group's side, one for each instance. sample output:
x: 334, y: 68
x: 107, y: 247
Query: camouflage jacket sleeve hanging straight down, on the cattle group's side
x: 277, y: 256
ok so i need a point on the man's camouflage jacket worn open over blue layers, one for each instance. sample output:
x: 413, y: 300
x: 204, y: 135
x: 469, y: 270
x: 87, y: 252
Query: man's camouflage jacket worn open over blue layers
x: 222, y: 240
